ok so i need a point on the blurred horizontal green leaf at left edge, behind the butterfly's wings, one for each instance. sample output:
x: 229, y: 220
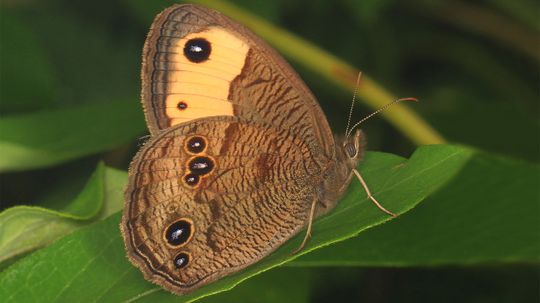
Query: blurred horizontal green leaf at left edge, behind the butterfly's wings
x: 50, y: 137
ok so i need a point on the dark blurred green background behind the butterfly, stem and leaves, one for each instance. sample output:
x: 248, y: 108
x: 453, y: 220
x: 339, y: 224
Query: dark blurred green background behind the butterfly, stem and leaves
x: 473, y: 64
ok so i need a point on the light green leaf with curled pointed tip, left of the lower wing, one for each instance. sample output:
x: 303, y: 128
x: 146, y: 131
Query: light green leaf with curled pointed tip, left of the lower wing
x: 25, y: 228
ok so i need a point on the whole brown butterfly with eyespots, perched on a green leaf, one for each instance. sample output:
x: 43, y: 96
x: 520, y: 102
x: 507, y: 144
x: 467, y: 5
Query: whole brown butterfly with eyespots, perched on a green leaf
x: 241, y: 157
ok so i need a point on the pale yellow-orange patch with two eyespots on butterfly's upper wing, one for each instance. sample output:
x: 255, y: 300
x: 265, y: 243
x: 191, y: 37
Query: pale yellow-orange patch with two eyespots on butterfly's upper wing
x: 203, y: 87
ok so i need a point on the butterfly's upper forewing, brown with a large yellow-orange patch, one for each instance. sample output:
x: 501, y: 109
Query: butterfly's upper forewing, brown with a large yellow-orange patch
x: 242, y: 76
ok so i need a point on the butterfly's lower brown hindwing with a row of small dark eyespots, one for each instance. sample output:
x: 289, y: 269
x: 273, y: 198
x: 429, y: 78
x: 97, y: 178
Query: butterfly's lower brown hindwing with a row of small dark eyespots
x: 256, y: 195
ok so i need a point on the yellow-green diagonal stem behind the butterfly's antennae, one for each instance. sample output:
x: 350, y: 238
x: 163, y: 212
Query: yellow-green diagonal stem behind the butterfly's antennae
x: 335, y: 70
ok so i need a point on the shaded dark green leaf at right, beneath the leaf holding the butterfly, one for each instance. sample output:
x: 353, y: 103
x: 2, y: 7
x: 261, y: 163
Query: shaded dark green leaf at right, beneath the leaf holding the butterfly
x: 477, y: 217
